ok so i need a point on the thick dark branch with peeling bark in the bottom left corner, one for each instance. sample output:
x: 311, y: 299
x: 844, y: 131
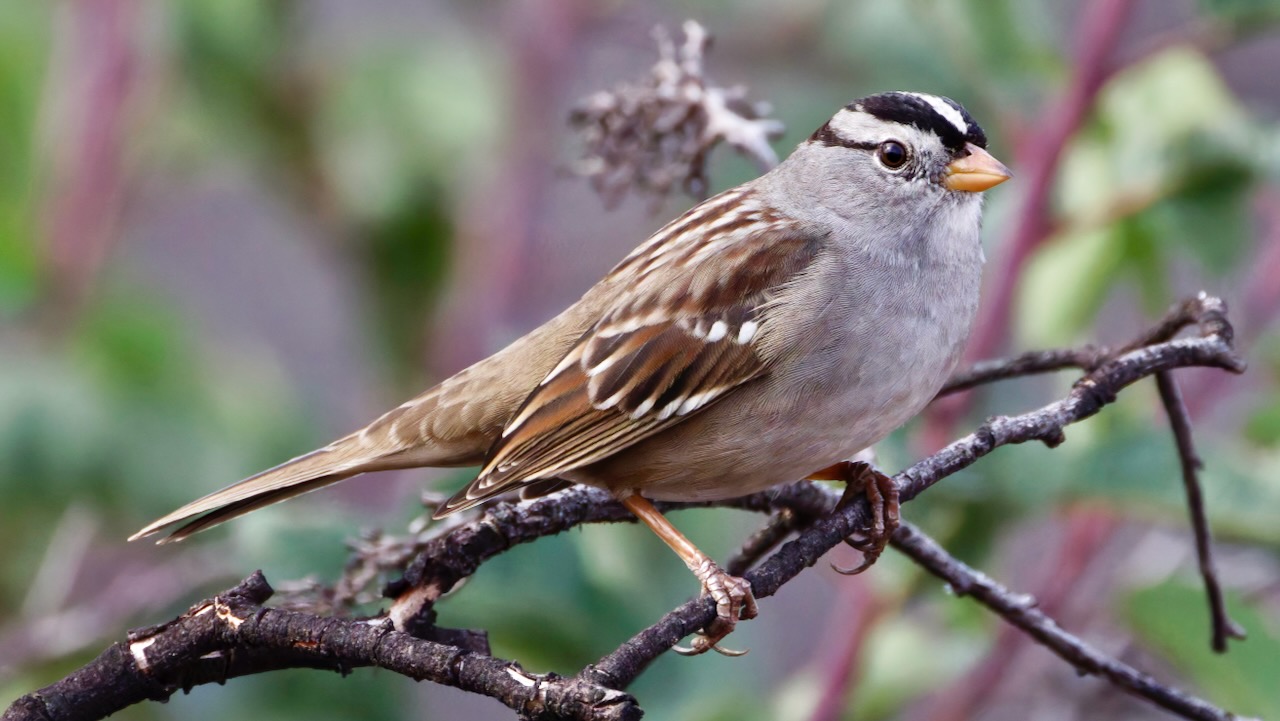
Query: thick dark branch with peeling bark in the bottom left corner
x: 234, y: 635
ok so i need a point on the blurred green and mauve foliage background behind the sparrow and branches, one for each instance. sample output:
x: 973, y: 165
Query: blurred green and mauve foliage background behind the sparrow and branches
x: 232, y: 230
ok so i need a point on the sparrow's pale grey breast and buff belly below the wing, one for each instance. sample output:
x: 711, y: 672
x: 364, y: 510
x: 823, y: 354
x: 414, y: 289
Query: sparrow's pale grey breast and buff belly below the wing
x: 875, y: 358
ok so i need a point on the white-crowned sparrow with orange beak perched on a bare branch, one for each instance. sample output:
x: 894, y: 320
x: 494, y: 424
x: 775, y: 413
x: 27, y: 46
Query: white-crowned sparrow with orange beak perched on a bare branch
x: 772, y: 331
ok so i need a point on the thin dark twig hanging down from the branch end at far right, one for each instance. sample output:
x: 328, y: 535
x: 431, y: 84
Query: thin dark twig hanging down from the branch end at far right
x: 1224, y: 628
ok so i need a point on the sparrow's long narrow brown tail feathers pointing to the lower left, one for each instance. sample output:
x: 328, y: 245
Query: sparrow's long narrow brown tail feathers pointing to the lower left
x: 301, y: 476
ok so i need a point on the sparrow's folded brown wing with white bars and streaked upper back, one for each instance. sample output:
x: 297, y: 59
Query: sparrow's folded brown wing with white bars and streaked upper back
x: 674, y: 343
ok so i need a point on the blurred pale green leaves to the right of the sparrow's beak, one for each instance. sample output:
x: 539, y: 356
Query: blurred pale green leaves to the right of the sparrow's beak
x: 1168, y: 159
